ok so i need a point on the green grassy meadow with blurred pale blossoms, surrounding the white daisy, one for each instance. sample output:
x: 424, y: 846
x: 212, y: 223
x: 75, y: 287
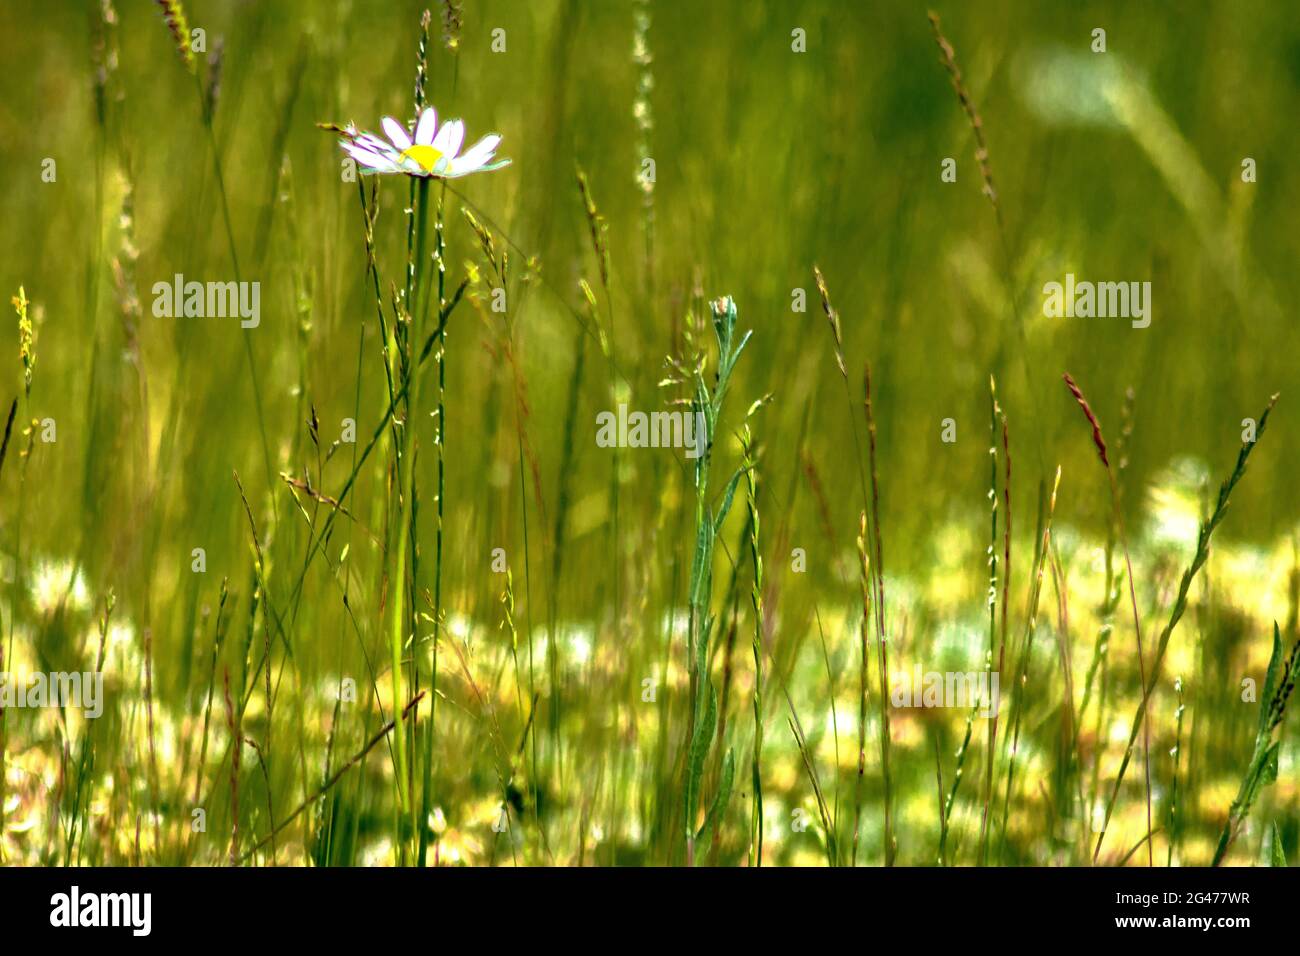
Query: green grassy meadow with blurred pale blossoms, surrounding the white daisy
x: 366, y: 591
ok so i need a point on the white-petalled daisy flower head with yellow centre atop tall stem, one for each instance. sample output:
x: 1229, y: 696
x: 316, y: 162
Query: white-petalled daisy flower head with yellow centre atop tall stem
x: 432, y: 152
